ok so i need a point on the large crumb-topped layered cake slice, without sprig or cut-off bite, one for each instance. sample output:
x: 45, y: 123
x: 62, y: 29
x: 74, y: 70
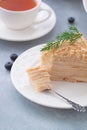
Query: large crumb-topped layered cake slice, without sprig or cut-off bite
x: 68, y: 62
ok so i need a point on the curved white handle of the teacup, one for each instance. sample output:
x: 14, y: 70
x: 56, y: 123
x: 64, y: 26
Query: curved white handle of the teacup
x: 46, y: 18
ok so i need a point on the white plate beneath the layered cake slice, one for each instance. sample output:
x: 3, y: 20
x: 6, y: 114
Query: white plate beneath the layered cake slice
x: 77, y: 92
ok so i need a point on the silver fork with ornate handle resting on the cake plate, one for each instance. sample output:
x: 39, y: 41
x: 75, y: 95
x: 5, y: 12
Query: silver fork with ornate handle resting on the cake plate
x: 74, y: 105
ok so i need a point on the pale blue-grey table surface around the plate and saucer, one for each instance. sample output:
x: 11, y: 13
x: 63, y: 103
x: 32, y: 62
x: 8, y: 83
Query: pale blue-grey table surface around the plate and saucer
x: 18, y: 113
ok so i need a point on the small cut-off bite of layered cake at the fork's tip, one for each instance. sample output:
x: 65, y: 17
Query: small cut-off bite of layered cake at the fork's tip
x: 39, y: 78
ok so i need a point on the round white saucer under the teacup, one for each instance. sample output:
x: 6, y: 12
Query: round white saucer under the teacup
x: 31, y: 33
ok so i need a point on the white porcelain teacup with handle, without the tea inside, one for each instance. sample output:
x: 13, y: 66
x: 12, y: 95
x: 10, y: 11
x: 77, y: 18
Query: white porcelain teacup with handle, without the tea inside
x: 22, y: 19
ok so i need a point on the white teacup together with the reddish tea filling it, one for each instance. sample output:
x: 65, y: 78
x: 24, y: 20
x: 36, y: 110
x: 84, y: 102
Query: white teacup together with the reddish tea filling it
x: 20, y: 14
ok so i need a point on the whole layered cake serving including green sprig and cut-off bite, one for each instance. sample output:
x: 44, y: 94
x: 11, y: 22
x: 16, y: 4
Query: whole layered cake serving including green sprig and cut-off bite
x: 64, y: 59
